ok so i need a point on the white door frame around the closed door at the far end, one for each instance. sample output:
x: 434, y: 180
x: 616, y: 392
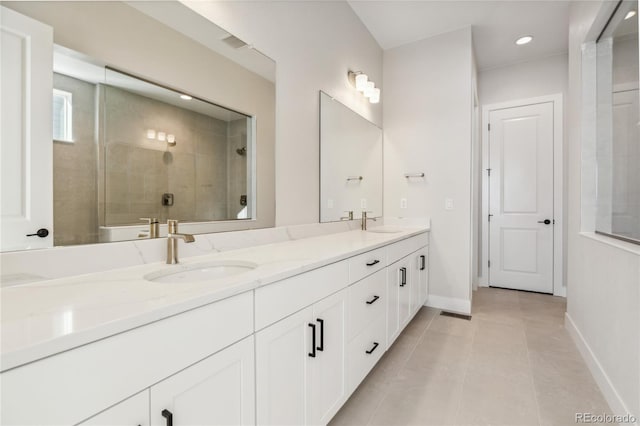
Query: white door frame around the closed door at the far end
x: 559, y: 289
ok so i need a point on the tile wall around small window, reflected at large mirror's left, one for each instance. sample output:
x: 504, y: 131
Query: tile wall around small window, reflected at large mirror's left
x: 75, y: 213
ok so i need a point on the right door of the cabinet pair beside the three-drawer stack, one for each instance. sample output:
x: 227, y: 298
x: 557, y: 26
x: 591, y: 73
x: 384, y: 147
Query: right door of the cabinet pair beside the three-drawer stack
x: 327, y: 378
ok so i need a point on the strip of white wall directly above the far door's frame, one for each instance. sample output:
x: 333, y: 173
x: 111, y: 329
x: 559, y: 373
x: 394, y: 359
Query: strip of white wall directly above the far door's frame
x: 545, y: 76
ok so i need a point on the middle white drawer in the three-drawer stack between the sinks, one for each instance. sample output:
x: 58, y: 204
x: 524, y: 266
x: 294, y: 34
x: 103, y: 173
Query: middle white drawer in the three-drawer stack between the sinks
x: 367, y: 302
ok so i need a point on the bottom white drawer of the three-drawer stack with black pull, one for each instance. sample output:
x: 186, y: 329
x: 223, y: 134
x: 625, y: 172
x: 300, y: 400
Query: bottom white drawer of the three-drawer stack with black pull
x: 363, y: 353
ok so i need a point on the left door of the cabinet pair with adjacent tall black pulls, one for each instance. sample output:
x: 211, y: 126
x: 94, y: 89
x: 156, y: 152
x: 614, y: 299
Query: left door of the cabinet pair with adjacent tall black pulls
x: 282, y: 353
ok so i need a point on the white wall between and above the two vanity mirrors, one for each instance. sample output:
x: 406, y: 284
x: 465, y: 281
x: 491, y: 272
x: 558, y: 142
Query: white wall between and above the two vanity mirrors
x: 314, y: 44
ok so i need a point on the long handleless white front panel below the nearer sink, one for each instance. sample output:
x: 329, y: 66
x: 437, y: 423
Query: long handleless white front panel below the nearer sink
x: 72, y: 386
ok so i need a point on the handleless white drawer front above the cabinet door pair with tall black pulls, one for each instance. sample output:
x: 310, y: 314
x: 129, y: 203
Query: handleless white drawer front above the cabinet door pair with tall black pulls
x: 278, y: 300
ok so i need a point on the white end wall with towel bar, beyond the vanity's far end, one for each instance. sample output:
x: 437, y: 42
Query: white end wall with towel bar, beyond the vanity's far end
x: 427, y: 126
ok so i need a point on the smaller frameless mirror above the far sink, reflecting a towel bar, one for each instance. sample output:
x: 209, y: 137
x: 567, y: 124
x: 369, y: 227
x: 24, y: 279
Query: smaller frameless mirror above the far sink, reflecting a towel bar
x: 350, y: 163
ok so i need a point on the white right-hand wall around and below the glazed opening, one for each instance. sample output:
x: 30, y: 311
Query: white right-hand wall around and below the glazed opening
x: 603, y: 280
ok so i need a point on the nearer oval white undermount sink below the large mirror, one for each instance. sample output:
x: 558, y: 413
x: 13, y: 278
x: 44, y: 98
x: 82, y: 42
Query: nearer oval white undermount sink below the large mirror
x: 200, y: 272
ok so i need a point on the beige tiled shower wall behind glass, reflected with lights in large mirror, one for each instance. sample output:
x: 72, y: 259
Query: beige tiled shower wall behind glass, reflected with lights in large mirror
x: 139, y: 170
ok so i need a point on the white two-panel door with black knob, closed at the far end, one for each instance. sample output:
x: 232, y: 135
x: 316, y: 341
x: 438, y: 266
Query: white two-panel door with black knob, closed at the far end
x: 521, y: 198
